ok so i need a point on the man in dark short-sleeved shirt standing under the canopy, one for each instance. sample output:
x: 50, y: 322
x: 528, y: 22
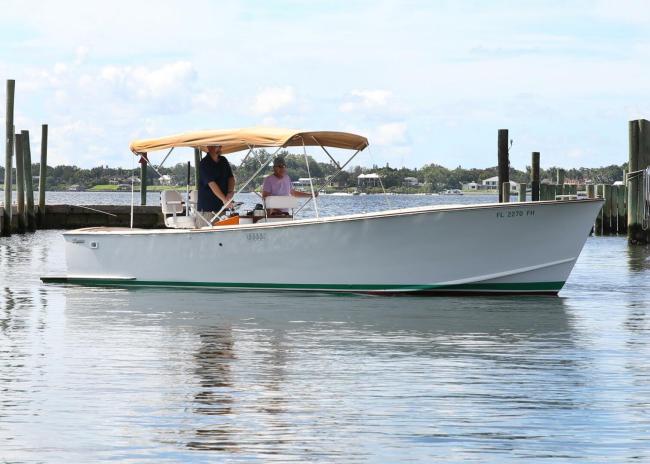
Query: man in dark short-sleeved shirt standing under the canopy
x: 217, y: 183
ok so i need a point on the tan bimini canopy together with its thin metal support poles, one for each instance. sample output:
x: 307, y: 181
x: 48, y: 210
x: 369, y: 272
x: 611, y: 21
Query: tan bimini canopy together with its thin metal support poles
x: 232, y: 141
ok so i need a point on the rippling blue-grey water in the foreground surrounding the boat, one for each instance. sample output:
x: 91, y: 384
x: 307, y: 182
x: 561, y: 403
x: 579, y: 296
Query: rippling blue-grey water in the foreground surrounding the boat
x: 158, y: 375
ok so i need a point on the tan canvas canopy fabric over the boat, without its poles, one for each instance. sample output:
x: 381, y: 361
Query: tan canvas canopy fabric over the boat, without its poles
x: 235, y: 140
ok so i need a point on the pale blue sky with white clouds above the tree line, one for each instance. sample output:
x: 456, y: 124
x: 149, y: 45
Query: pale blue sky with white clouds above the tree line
x: 425, y: 81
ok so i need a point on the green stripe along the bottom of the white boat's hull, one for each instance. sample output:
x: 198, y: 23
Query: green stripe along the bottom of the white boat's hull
x: 517, y: 287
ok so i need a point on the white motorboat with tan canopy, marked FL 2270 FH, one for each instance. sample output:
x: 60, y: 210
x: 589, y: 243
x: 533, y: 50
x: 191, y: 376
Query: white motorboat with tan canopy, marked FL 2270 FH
x: 485, y: 248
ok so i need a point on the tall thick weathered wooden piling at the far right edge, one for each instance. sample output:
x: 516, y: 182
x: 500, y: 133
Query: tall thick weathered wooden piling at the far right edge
x: 639, y: 159
